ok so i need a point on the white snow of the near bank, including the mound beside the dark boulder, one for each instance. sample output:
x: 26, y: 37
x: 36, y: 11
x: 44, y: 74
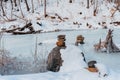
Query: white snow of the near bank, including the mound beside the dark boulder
x: 73, y: 68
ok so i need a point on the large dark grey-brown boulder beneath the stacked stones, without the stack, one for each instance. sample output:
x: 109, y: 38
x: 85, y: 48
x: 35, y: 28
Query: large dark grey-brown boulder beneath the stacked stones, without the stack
x: 54, y: 60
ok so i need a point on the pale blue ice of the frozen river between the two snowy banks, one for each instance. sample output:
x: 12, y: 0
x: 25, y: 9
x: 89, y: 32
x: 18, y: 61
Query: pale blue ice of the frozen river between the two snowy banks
x: 24, y: 45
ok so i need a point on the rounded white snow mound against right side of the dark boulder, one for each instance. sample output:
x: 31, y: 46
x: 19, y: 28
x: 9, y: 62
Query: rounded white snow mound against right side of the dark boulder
x: 73, y: 59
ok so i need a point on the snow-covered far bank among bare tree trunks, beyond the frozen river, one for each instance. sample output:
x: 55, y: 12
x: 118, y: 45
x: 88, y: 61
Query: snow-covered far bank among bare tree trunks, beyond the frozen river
x: 74, y: 16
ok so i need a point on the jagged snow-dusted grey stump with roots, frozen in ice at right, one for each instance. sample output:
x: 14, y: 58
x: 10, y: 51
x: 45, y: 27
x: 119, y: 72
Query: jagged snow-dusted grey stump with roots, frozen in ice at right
x: 107, y: 45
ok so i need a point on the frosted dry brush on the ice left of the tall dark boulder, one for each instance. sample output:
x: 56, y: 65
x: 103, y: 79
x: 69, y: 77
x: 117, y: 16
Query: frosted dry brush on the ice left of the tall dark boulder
x: 10, y: 65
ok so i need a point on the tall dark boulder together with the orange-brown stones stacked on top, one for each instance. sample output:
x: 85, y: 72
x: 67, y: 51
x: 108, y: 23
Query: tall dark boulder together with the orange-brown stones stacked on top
x: 54, y: 61
